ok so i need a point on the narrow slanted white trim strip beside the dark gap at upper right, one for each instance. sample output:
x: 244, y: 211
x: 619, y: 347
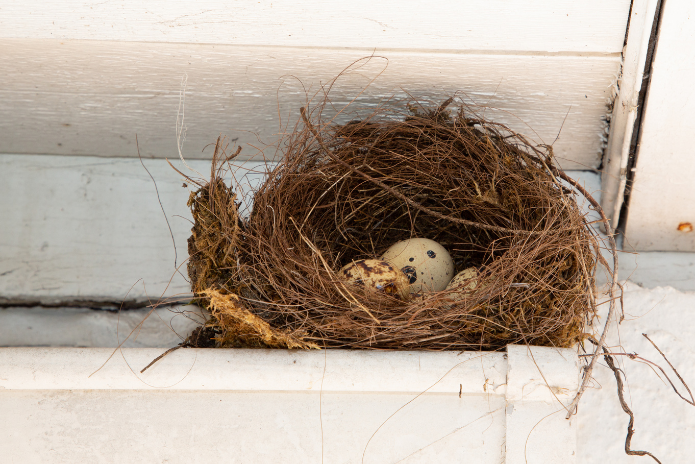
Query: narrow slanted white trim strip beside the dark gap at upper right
x: 625, y: 108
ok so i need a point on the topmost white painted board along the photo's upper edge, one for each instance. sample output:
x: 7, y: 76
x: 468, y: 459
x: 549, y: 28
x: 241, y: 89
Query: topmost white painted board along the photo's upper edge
x: 591, y: 26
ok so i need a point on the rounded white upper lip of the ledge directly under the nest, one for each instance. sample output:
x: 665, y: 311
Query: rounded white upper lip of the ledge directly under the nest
x: 294, y: 371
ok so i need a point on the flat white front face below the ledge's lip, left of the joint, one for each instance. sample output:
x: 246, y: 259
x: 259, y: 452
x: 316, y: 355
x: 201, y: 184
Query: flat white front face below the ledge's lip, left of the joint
x: 124, y: 427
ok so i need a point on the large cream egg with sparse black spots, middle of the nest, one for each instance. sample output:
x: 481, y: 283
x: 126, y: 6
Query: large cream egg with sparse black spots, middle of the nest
x: 426, y: 263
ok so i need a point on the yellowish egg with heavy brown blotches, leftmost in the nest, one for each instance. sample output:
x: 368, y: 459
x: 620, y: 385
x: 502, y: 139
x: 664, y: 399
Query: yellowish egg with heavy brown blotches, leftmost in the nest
x: 377, y: 275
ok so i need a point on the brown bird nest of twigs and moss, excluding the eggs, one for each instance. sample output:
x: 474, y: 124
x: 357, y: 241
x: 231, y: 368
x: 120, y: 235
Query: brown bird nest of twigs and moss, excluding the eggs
x: 343, y: 192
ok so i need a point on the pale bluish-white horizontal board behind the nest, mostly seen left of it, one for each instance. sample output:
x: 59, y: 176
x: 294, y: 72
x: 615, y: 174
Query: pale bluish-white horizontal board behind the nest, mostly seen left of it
x: 89, y: 228
